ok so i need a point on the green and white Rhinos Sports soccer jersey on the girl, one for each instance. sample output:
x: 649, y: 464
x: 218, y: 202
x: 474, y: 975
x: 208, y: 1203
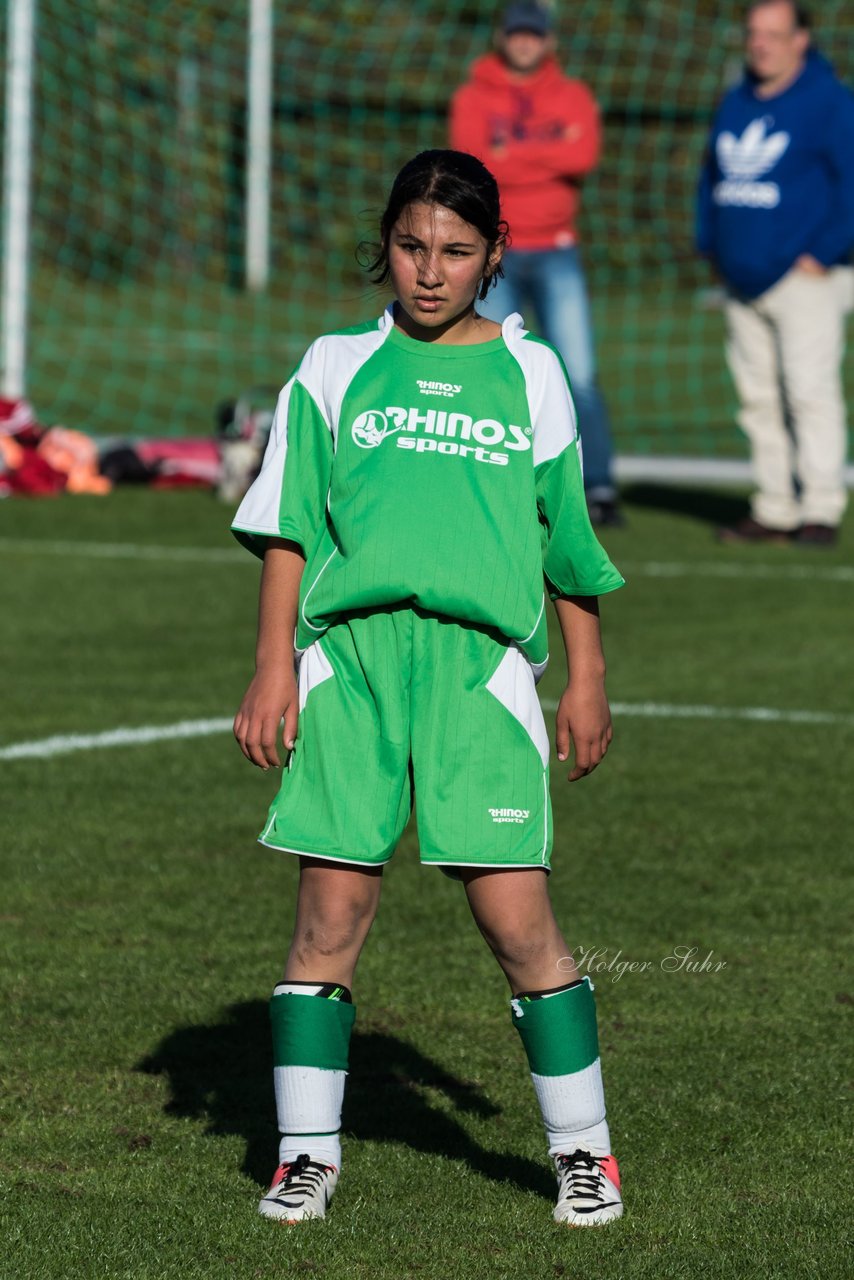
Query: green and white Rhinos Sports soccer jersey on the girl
x: 445, y: 478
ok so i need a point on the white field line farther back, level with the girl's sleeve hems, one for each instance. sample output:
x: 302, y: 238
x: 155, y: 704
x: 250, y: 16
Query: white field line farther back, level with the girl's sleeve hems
x: 236, y: 556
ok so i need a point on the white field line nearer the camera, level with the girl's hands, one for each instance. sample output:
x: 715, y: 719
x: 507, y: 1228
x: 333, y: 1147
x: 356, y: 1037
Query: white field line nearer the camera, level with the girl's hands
x: 65, y: 744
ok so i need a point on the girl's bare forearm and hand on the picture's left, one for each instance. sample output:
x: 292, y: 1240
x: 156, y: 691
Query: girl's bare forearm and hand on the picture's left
x: 273, y: 696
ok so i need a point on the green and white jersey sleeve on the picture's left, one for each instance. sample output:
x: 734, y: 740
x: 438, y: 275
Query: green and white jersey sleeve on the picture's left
x: 289, y: 499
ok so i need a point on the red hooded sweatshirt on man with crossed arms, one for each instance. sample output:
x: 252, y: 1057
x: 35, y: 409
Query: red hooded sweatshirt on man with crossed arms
x: 540, y: 135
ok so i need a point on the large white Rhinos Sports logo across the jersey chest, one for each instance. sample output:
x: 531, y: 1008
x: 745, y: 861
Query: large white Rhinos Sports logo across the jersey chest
x: 483, y: 440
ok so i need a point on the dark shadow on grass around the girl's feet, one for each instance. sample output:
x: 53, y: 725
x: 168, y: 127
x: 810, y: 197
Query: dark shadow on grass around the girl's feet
x: 222, y: 1075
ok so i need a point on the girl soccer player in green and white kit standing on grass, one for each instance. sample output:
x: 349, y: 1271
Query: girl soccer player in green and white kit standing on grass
x: 421, y: 495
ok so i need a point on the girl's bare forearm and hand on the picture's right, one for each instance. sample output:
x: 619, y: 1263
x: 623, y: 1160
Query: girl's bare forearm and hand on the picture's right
x: 583, y: 714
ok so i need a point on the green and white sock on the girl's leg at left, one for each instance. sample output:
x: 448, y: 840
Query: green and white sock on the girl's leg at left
x: 310, y: 1054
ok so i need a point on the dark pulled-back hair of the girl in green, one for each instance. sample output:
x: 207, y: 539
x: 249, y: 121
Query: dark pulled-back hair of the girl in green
x: 459, y: 182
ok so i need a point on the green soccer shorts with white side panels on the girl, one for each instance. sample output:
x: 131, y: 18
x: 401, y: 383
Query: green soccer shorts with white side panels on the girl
x: 400, y: 703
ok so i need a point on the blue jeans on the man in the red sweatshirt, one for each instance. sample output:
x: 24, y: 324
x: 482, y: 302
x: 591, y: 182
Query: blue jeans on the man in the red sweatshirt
x: 552, y: 281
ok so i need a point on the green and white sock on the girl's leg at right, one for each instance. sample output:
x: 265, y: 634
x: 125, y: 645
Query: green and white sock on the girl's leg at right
x: 559, y: 1031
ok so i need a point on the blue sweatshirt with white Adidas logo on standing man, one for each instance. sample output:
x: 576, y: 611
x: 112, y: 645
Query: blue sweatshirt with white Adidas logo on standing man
x: 779, y: 180
